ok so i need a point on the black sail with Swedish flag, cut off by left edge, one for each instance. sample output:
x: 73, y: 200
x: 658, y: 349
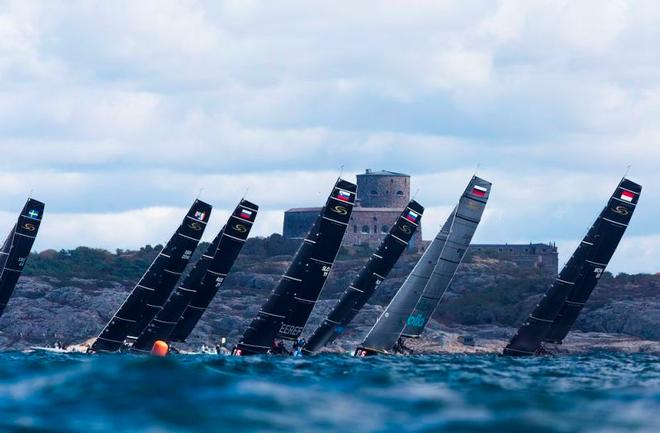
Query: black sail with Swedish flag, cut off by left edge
x: 17, y: 247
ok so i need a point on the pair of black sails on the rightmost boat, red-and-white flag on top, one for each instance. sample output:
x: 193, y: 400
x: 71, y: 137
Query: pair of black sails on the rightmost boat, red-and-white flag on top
x: 556, y: 312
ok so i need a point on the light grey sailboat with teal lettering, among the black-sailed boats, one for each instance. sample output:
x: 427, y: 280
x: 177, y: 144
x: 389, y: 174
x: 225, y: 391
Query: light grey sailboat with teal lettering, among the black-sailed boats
x: 414, y: 303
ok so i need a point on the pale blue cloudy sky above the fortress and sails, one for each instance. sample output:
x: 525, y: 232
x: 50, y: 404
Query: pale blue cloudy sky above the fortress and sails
x: 117, y: 113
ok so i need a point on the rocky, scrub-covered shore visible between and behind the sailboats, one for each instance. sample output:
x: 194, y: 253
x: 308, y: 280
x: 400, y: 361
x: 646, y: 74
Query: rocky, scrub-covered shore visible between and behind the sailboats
x: 488, y: 299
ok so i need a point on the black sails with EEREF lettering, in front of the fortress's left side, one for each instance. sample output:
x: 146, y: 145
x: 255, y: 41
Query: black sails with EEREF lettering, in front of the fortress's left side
x: 287, y: 310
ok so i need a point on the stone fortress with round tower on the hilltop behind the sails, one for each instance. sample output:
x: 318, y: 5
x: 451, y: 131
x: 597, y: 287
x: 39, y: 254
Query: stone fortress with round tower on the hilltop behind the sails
x: 382, y: 196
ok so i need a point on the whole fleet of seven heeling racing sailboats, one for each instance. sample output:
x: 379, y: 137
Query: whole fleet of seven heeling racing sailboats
x: 157, y: 312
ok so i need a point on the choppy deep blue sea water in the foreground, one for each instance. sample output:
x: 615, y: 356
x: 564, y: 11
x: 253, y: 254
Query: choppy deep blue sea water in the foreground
x: 41, y: 392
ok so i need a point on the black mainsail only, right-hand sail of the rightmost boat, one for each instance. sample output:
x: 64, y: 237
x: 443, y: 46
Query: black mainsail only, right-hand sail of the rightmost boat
x: 613, y: 224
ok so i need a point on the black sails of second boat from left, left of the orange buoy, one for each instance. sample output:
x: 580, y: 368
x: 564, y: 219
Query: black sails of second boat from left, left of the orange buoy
x: 155, y: 286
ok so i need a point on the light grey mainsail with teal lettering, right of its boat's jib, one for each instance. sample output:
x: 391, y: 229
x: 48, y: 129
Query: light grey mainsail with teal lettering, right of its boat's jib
x: 463, y: 226
